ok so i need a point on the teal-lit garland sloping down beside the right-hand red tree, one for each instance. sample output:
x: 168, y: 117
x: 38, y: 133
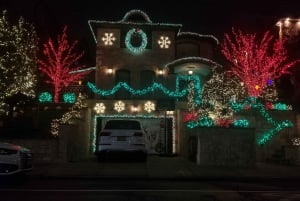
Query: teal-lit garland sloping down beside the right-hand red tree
x: 252, y: 102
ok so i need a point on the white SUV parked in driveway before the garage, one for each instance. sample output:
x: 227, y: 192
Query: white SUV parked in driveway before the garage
x: 121, y: 136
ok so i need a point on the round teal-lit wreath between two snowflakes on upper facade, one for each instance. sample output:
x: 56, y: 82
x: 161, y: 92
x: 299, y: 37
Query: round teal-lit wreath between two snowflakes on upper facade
x: 136, y: 41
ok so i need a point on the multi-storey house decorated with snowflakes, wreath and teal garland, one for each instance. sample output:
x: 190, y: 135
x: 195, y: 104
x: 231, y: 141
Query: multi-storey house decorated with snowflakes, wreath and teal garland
x: 153, y: 61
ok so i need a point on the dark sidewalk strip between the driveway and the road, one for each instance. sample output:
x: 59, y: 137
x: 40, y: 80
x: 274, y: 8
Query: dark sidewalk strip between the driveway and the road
x: 159, y: 167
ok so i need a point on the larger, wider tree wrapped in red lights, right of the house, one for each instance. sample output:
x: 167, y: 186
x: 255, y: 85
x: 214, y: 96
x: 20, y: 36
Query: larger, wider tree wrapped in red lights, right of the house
x: 256, y: 62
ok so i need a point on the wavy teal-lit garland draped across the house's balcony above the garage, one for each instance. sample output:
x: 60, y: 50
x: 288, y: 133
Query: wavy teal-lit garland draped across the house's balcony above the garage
x: 177, y: 93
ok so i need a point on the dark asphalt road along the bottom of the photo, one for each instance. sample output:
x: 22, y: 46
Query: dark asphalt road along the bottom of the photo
x: 37, y: 189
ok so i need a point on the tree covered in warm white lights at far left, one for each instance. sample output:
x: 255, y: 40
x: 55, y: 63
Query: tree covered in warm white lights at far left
x: 18, y: 60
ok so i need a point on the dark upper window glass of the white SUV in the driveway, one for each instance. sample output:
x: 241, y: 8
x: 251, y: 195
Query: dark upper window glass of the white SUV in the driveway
x: 123, y: 124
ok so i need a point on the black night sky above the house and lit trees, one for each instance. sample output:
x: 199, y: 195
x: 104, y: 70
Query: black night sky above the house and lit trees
x: 201, y: 16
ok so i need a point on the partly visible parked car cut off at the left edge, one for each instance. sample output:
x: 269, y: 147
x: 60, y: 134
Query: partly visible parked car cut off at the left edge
x: 14, y: 159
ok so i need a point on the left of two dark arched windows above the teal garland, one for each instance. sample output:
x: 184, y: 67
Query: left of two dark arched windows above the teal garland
x: 122, y: 75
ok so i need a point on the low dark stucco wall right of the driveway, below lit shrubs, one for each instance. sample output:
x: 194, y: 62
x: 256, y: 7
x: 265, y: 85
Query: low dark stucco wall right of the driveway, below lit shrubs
x: 225, y: 146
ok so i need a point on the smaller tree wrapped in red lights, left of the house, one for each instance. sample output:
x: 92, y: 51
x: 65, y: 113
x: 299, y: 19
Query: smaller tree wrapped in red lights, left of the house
x: 60, y: 63
